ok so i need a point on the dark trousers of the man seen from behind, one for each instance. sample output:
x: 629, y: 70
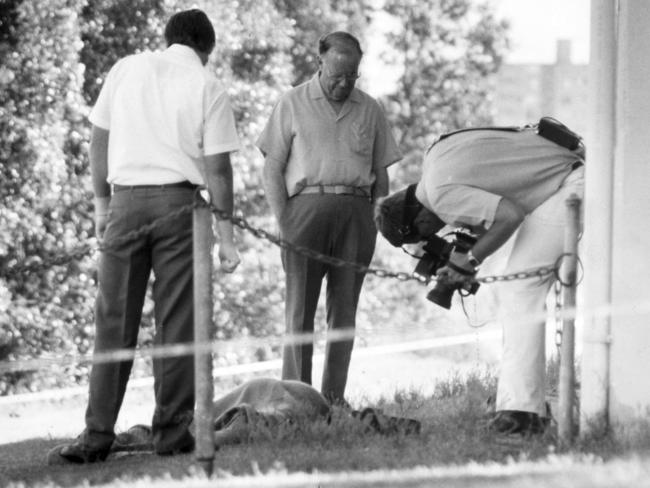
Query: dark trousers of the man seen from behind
x: 123, y: 275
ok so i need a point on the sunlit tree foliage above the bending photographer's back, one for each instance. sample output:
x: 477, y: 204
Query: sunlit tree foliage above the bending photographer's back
x: 446, y: 50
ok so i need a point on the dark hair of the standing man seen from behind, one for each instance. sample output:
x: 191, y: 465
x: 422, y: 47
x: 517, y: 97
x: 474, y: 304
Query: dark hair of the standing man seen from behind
x: 191, y: 28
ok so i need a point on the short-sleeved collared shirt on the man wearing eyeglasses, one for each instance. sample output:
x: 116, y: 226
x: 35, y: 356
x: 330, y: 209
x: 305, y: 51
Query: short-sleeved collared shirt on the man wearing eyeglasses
x: 320, y: 147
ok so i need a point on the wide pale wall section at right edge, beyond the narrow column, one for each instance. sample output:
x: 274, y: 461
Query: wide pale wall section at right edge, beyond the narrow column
x: 629, y: 394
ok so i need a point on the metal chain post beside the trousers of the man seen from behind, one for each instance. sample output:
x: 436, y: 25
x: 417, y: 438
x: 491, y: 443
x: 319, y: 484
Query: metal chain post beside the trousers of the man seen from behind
x: 203, y: 307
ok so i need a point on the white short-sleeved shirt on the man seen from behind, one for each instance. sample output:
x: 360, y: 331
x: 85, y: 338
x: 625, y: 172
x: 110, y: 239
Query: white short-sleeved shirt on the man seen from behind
x: 153, y: 105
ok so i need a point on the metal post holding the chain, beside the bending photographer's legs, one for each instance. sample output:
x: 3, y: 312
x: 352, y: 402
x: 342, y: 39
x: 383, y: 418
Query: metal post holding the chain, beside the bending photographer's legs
x: 568, y: 274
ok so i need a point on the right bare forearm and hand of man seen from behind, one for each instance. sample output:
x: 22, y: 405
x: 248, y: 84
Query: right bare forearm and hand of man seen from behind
x: 218, y: 173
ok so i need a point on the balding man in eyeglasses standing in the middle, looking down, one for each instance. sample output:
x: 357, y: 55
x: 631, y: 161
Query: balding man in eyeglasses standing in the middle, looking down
x: 327, y: 146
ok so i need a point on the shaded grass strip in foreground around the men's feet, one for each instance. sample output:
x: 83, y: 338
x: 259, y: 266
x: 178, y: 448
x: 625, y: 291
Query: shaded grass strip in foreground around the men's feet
x: 454, y: 432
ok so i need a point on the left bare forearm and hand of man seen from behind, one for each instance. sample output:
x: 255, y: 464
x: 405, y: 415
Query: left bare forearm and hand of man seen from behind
x: 99, y: 173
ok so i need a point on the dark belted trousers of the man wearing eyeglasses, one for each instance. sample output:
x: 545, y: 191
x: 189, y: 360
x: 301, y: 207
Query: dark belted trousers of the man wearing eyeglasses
x: 339, y: 226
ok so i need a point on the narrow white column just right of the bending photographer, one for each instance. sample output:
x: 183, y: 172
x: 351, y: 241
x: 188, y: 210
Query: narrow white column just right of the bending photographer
x: 598, y: 207
